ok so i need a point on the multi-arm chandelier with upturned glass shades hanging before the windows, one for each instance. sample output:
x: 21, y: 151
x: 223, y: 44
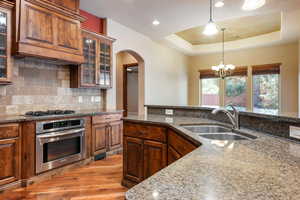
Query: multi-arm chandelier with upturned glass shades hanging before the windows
x: 223, y: 70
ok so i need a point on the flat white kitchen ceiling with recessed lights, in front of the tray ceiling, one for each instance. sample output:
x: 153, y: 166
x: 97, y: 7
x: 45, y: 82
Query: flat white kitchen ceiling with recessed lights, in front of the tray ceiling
x: 174, y: 15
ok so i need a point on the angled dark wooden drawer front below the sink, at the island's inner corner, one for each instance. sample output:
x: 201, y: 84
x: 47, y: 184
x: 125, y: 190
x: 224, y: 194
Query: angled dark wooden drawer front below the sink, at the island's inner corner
x: 181, y: 145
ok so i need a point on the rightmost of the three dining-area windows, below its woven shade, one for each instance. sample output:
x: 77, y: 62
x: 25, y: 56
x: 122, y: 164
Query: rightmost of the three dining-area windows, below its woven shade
x: 266, y: 93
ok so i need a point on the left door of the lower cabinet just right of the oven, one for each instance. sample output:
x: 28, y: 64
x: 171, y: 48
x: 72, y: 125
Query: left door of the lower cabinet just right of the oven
x: 100, y: 138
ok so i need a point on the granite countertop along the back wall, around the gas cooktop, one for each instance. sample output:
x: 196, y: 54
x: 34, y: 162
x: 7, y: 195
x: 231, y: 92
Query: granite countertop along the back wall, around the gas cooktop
x: 78, y: 113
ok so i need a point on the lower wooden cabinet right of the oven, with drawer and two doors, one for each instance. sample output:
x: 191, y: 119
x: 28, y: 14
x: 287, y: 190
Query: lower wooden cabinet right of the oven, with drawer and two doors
x: 107, y: 133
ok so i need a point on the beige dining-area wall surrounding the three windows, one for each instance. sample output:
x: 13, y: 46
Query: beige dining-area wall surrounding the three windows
x: 286, y: 54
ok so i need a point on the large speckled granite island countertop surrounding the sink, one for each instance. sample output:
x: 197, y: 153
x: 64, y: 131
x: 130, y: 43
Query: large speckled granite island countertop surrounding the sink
x: 266, y: 168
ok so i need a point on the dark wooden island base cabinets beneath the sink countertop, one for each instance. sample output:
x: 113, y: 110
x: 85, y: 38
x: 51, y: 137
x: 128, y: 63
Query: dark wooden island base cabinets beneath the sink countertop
x: 146, y: 150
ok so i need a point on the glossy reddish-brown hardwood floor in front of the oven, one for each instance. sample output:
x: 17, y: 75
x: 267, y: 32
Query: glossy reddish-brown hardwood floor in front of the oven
x: 101, y: 180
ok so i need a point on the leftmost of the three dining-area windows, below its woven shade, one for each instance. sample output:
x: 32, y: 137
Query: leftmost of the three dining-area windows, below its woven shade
x: 210, y: 92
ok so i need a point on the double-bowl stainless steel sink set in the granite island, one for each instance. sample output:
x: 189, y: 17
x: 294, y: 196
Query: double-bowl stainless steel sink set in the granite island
x: 216, y: 132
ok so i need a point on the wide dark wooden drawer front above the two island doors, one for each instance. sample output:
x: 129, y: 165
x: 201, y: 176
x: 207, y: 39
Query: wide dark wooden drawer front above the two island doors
x: 145, y: 131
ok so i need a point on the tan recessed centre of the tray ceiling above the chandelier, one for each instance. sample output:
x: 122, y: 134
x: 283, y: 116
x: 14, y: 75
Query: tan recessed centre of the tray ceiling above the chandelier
x: 236, y: 29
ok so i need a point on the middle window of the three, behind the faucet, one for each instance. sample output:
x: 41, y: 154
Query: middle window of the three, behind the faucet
x: 236, y: 91
